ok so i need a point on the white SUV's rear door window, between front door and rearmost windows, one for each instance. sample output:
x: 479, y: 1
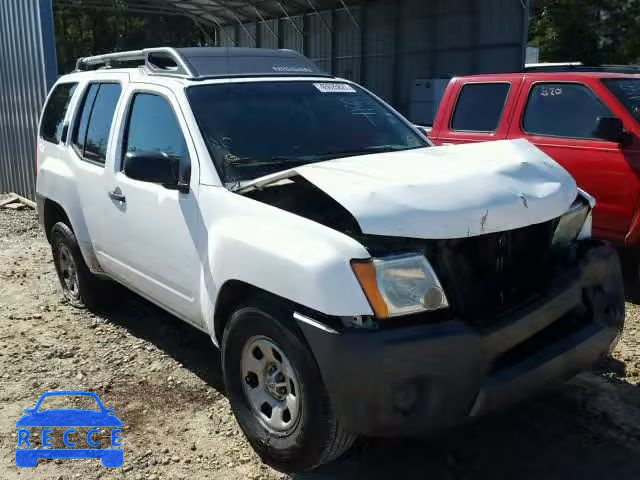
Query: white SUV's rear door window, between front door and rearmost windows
x: 91, y: 134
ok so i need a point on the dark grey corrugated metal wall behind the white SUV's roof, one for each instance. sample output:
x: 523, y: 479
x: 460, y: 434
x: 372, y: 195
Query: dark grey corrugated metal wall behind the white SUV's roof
x: 388, y: 44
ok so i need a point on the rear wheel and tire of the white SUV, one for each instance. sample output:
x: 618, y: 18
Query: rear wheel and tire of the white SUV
x: 81, y: 289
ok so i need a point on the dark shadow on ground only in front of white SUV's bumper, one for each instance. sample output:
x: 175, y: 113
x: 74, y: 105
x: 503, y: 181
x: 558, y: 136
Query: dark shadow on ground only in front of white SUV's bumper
x: 540, y: 439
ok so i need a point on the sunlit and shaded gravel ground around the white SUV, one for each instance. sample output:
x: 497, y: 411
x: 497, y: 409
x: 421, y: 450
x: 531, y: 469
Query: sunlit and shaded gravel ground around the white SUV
x: 163, y: 379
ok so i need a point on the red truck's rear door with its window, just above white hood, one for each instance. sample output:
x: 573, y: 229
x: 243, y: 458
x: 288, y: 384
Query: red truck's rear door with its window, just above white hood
x: 479, y: 111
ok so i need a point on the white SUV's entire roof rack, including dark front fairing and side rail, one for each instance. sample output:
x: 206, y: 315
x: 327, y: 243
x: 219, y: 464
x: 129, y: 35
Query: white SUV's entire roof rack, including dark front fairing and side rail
x: 200, y: 63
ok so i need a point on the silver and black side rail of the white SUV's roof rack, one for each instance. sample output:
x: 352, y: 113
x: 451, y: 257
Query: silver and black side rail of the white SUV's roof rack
x: 154, y: 59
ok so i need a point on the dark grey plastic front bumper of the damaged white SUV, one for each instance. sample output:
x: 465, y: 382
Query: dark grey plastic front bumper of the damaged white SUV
x: 417, y: 380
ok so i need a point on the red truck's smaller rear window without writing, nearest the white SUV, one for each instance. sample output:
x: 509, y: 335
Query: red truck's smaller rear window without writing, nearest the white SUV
x: 480, y: 107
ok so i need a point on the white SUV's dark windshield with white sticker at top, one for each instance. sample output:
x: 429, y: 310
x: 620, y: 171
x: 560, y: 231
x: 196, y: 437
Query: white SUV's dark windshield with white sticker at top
x: 258, y: 128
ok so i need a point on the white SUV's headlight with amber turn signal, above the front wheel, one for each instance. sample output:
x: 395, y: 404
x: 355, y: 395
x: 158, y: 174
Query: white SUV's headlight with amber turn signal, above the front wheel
x: 400, y: 285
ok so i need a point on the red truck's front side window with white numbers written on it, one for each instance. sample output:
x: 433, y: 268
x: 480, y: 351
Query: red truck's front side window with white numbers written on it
x: 563, y: 110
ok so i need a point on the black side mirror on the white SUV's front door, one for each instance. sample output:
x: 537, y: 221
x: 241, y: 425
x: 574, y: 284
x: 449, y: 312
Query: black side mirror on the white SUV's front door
x: 154, y: 167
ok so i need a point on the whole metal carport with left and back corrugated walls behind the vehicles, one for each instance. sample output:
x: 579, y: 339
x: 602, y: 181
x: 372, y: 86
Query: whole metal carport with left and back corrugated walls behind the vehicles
x: 398, y: 49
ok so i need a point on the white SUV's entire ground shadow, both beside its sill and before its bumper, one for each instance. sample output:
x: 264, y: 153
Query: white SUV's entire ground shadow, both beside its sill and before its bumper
x: 552, y: 436
